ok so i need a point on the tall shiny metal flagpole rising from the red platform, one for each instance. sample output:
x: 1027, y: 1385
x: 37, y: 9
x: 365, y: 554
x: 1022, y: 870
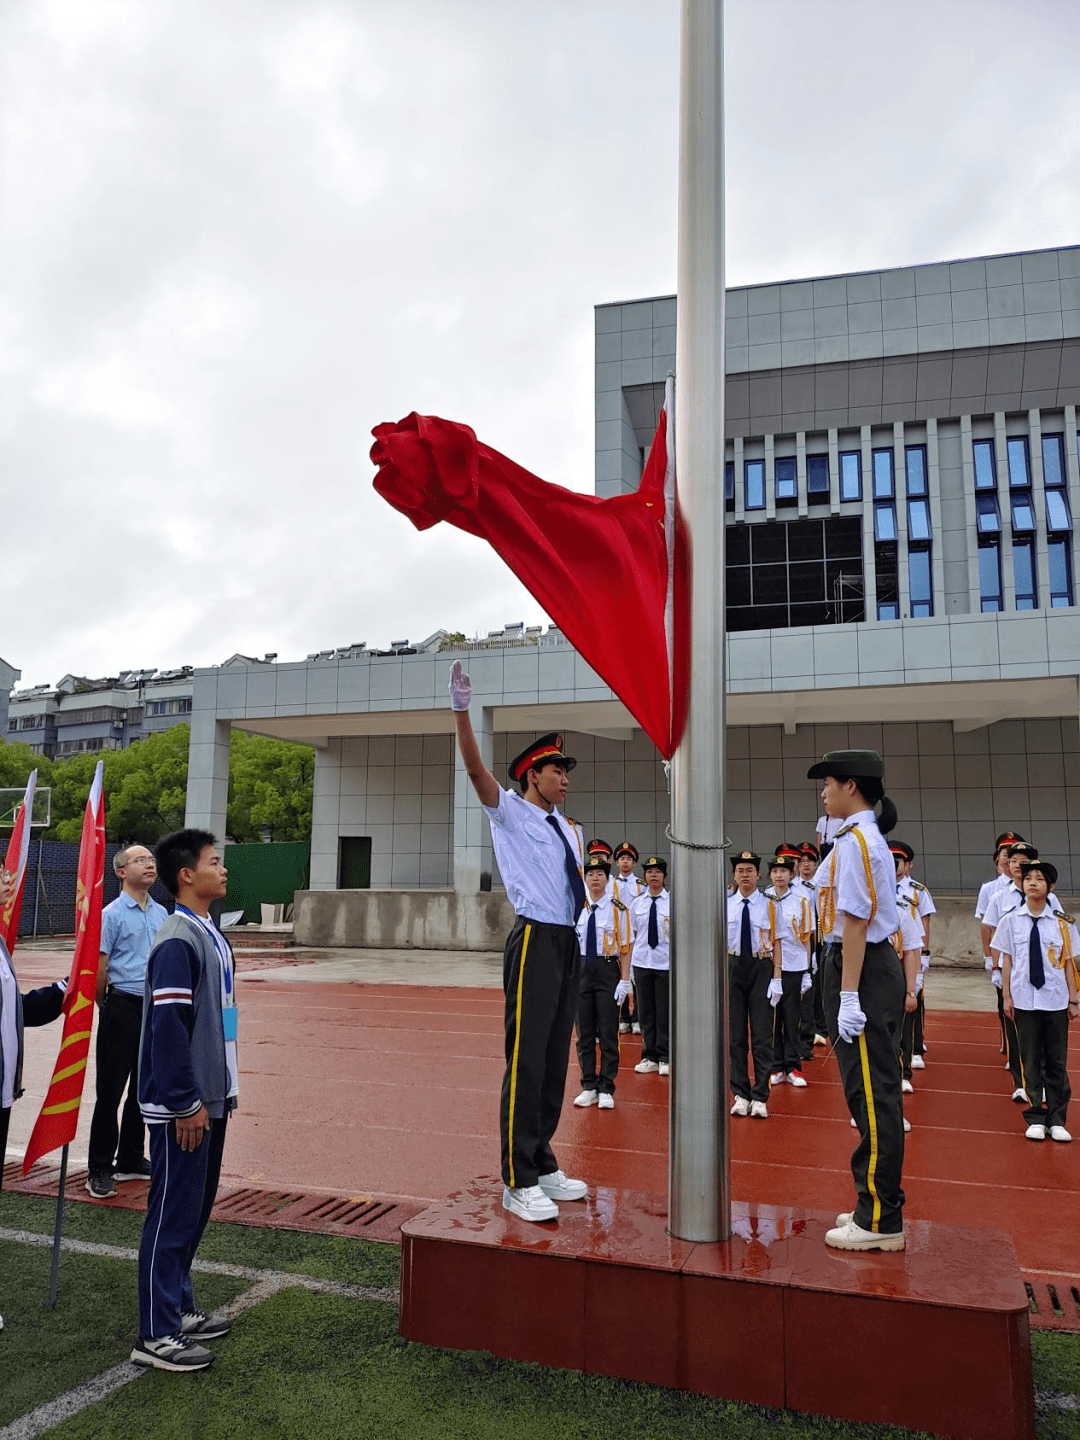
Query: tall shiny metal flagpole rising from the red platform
x: 699, y: 1187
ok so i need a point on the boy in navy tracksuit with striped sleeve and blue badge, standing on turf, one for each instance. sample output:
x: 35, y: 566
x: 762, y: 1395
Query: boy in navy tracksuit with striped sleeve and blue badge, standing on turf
x: 186, y: 1089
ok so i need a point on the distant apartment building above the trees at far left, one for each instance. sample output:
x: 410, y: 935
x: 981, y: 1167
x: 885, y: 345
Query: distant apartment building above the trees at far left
x: 80, y: 715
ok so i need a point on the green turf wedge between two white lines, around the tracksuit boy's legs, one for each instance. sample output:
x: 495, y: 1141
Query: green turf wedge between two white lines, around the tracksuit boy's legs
x: 91, y: 1328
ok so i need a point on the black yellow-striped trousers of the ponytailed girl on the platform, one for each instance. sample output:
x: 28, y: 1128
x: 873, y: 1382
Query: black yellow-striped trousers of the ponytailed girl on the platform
x: 870, y: 1072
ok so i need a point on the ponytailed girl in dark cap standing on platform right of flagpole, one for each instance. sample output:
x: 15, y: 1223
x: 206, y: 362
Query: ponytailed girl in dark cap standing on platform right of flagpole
x: 863, y: 990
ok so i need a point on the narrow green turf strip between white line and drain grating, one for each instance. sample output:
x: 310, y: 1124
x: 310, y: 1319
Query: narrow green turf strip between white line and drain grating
x: 329, y: 1258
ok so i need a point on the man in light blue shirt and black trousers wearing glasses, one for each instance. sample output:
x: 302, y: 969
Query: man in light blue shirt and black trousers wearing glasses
x: 129, y: 927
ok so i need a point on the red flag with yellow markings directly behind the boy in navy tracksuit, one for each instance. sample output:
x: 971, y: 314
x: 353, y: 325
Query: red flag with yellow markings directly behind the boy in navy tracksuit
x: 57, y: 1124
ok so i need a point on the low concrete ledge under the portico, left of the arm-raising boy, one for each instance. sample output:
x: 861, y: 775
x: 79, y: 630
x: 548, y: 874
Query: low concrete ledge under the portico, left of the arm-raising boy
x: 402, y: 919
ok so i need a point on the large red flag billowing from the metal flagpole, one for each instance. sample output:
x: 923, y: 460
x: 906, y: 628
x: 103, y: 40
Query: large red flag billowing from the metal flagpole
x: 572, y: 552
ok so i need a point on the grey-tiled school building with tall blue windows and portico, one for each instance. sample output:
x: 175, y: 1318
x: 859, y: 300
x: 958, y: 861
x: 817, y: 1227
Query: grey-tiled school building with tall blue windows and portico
x: 902, y: 474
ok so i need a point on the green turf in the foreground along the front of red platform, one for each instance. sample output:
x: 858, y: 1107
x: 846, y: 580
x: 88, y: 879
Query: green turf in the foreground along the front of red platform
x: 325, y: 1369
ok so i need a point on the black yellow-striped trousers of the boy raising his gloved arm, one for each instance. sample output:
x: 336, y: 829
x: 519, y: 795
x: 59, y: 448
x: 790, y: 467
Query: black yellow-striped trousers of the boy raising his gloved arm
x: 541, y: 967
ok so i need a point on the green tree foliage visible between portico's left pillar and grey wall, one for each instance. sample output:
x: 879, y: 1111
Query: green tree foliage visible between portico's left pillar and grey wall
x: 270, y: 788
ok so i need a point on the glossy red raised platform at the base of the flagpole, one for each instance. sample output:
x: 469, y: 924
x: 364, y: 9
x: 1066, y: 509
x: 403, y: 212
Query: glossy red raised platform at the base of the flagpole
x: 934, y: 1338
